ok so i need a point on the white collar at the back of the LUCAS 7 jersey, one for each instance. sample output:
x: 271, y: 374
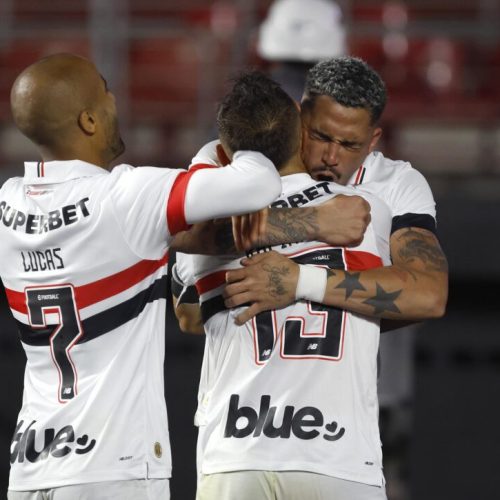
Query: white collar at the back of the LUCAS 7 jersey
x: 52, y: 172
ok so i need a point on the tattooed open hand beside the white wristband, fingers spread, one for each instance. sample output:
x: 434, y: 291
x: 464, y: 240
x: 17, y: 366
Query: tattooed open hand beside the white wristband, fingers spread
x: 267, y: 281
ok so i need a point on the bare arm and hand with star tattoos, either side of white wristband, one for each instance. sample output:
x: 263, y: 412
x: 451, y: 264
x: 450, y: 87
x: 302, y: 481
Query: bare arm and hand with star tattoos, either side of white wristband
x: 414, y: 287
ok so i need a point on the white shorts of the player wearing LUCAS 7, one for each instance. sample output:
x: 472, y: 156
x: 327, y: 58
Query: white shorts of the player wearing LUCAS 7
x: 136, y: 489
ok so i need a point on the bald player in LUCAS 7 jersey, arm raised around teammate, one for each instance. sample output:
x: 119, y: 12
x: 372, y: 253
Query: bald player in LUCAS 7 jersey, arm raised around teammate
x: 83, y: 259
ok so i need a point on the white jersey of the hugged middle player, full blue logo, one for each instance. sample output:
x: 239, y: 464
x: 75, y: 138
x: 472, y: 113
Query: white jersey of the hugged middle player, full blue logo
x: 293, y: 389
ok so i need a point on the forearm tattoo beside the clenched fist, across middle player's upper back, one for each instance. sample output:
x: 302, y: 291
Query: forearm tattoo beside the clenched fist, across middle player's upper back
x: 291, y: 225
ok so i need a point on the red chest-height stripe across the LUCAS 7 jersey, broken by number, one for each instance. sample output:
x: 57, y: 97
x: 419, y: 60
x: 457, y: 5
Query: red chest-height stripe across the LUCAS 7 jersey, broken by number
x: 102, y: 289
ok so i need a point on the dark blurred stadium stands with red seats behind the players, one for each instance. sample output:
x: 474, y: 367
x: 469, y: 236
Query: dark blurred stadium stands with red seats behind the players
x: 168, y: 63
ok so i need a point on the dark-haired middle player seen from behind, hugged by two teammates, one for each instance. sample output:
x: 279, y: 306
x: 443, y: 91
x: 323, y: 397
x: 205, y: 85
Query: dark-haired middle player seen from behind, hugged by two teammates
x: 288, y: 401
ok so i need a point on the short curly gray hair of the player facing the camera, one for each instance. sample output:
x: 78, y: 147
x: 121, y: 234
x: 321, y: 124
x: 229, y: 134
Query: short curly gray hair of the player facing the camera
x: 350, y: 81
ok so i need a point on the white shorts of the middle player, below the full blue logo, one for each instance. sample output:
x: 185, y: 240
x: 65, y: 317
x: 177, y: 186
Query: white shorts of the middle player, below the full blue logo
x: 286, y: 485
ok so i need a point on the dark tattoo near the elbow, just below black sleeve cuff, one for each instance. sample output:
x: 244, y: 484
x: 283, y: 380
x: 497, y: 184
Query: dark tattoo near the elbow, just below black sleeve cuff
x: 423, y: 247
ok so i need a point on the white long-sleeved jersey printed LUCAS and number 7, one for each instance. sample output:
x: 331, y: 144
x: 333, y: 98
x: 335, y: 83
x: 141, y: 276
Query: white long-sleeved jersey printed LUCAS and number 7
x: 83, y: 260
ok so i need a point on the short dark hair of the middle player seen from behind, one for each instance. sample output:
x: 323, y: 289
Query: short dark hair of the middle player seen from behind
x: 258, y: 115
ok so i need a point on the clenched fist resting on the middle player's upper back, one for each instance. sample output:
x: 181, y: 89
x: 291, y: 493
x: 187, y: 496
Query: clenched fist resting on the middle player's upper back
x: 342, y: 221
